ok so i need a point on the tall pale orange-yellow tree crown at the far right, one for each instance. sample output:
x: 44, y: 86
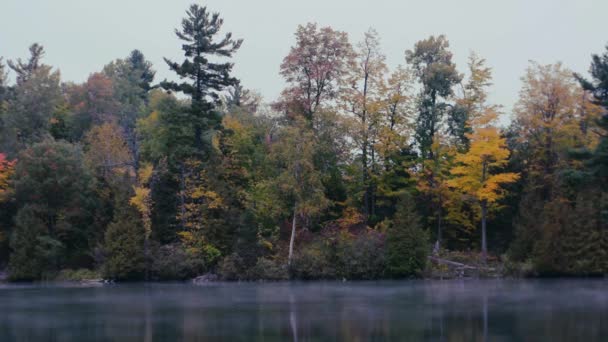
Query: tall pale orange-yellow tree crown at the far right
x: 554, y: 115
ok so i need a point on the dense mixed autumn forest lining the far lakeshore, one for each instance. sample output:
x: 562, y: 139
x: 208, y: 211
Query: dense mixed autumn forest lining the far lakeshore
x: 357, y: 171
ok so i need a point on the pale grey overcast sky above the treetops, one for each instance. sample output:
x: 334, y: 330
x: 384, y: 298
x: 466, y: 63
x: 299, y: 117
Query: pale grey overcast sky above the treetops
x: 80, y: 36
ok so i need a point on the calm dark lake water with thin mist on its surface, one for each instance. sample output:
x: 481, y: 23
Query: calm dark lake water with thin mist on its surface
x: 518, y: 310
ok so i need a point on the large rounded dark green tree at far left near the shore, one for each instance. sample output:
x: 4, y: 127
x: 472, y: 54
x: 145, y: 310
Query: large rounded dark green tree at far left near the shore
x: 52, y: 185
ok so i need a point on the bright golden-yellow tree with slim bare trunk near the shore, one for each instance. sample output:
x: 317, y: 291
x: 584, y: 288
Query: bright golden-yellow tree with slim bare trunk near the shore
x: 476, y: 172
